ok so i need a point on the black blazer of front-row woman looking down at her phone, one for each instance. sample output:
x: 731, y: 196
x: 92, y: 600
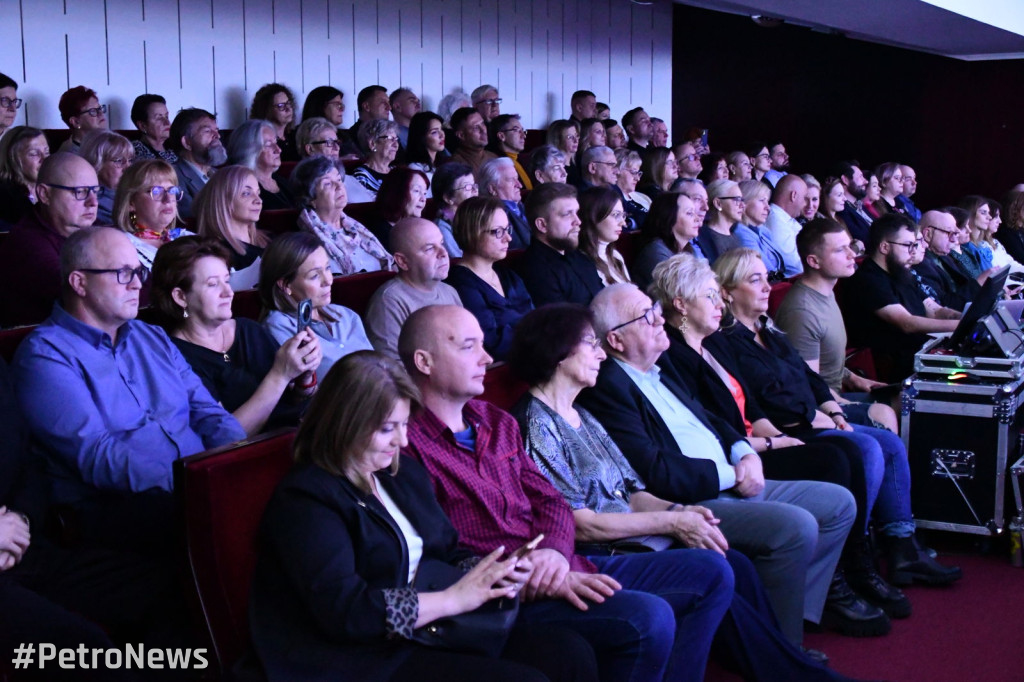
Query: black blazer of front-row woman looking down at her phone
x: 328, y: 552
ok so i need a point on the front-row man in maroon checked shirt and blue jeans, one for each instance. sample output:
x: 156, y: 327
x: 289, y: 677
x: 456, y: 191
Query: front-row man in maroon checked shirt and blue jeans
x: 495, y: 495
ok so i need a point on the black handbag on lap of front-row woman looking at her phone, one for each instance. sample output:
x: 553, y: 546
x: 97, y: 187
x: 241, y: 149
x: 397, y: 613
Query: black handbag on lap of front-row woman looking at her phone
x: 483, y: 631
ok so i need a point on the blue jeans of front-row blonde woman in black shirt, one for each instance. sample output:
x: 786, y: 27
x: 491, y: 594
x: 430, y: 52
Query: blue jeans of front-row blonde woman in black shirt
x: 888, y: 478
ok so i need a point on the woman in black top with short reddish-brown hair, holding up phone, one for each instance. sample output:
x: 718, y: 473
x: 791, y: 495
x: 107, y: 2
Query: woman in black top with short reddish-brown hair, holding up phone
x: 263, y: 386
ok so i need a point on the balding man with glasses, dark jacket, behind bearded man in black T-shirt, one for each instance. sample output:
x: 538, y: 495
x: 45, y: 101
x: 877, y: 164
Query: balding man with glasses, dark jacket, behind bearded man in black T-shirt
x: 954, y: 286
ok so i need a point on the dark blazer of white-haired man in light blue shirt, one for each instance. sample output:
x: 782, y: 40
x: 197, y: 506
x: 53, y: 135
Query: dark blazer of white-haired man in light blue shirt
x: 645, y: 438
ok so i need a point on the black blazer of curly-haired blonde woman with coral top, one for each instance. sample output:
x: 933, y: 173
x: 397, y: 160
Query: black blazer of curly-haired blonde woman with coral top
x: 690, y: 369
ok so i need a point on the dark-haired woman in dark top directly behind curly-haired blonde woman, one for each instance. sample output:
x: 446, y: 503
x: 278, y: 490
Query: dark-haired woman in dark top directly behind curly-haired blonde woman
x: 671, y: 228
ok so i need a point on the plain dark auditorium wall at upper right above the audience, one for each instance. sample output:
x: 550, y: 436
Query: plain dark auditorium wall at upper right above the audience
x: 960, y: 124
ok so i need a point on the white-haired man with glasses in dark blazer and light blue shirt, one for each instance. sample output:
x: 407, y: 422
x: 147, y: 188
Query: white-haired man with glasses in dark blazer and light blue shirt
x: 793, y: 531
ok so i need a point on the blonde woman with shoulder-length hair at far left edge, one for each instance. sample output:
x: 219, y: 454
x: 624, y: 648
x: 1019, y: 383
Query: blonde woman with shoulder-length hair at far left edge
x: 23, y: 151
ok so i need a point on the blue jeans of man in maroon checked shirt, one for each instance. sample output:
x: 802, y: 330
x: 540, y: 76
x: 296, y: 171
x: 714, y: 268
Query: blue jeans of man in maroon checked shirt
x: 661, y: 625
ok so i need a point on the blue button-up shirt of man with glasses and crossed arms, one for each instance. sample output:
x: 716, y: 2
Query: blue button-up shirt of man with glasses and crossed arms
x: 113, y: 417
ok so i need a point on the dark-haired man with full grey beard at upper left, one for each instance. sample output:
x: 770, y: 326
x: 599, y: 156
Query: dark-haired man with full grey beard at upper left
x: 196, y: 140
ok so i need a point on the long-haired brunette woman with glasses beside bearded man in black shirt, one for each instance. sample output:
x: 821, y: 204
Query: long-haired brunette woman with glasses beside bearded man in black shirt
x: 603, y: 221
